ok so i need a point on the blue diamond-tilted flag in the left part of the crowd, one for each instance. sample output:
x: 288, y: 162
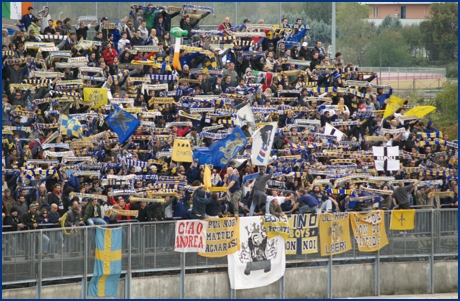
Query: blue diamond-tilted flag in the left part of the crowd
x: 122, y: 123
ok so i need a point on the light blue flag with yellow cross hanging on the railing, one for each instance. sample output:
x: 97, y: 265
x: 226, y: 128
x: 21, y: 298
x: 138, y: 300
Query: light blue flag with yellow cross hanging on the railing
x: 107, y: 263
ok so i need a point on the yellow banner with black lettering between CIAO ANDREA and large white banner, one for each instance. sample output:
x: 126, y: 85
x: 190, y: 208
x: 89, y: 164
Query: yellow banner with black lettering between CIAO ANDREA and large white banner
x: 222, y: 237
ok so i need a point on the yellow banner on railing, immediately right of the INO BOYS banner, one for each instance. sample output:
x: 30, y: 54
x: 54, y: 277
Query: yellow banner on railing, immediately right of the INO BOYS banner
x: 334, y: 233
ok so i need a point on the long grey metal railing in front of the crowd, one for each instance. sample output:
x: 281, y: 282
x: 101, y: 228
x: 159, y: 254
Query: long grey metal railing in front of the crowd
x: 149, y: 247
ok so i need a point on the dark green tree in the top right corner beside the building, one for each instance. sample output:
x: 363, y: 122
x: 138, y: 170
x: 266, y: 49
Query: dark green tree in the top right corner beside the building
x: 440, y: 32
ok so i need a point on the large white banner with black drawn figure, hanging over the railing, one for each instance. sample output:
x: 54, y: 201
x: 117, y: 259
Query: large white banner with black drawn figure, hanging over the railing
x: 260, y: 261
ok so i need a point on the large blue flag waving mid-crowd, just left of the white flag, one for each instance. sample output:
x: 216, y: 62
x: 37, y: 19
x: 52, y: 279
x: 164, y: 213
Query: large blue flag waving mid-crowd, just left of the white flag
x: 222, y: 151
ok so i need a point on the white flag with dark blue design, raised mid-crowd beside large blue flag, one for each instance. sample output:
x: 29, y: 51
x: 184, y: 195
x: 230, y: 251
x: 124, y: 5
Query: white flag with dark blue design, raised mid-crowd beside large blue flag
x: 262, y: 142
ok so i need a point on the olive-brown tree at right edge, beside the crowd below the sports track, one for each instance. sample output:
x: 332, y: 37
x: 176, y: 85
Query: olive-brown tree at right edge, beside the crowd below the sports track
x: 446, y: 114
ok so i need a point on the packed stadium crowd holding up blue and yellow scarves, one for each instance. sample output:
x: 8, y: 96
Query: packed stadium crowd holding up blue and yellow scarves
x: 51, y: 179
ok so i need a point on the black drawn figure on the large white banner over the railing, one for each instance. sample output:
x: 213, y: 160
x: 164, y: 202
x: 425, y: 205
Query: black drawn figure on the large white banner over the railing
x: 257, y: 253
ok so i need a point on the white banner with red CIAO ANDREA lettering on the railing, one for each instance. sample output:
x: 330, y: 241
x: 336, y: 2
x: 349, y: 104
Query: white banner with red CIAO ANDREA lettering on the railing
x: 190, y: 236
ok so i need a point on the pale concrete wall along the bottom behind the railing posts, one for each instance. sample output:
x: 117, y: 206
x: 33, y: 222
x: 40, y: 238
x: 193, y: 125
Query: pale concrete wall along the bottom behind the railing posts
x: 355, y: 280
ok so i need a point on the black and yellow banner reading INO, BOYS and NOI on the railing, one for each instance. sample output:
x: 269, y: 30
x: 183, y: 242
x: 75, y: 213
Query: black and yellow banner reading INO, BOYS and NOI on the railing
x: 303, y: 234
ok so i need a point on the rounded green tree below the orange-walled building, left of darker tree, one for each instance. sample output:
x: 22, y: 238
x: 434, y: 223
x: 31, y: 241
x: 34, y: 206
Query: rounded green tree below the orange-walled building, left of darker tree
x: 388, y: 50
